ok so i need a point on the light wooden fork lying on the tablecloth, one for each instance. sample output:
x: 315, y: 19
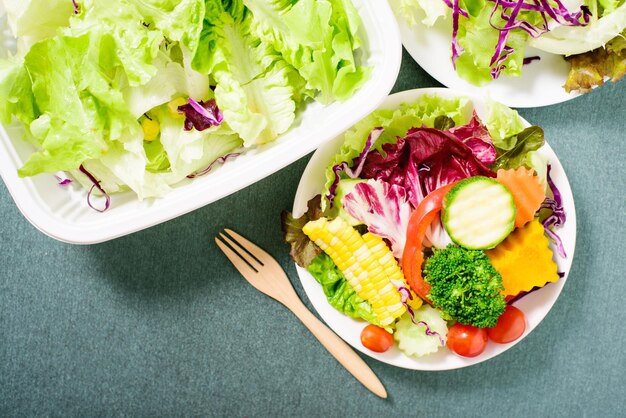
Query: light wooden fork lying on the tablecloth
x: 263, y: 272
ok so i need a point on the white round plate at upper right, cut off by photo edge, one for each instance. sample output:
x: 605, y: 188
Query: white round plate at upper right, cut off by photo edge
x: 540, y: 84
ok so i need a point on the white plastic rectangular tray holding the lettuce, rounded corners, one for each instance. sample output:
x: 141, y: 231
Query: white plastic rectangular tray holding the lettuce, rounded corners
x: 63, y: 213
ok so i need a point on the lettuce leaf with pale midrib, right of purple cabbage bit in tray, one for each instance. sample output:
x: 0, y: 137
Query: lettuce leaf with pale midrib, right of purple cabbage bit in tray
x: 254, y: 84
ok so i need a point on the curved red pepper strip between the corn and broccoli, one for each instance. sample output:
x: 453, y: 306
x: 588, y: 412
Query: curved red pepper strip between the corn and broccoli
x: 412, y: 257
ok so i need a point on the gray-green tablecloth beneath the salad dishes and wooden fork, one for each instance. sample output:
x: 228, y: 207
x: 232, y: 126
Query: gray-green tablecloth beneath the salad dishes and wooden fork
x: 159, y: 324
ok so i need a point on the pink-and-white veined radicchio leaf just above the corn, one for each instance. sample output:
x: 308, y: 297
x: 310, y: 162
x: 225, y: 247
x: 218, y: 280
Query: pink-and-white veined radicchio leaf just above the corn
x: 384, y: 208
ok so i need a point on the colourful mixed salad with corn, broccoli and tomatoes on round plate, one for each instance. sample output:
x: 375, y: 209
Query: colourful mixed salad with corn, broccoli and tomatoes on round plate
x: 431, y: 225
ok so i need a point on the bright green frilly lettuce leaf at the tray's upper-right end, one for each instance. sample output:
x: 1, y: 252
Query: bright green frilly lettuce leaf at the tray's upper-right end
x: 317, y: 38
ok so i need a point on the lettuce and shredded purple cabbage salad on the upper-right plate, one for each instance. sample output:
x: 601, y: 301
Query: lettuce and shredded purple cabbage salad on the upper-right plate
x: 488, y: 39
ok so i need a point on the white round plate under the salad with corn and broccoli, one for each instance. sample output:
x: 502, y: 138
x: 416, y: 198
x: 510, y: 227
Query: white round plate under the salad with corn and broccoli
x: 535, y: 305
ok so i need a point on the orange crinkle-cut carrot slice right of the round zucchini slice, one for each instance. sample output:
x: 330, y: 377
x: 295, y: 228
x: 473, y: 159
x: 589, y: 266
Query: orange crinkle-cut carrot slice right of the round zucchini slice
x: 527, y: 190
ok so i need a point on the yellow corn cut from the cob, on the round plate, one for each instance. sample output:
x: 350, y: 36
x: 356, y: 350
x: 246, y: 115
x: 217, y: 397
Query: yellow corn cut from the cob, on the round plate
x: 366, y: 262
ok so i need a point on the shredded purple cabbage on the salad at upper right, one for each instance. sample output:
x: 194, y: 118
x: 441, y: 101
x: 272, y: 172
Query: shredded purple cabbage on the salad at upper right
x: 509, y: 11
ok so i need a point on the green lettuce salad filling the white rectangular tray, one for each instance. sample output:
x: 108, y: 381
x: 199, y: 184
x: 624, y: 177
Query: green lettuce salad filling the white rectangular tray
x: 139, y: 95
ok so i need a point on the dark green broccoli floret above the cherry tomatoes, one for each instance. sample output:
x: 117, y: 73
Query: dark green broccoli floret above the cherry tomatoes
x: 465, y: 286
